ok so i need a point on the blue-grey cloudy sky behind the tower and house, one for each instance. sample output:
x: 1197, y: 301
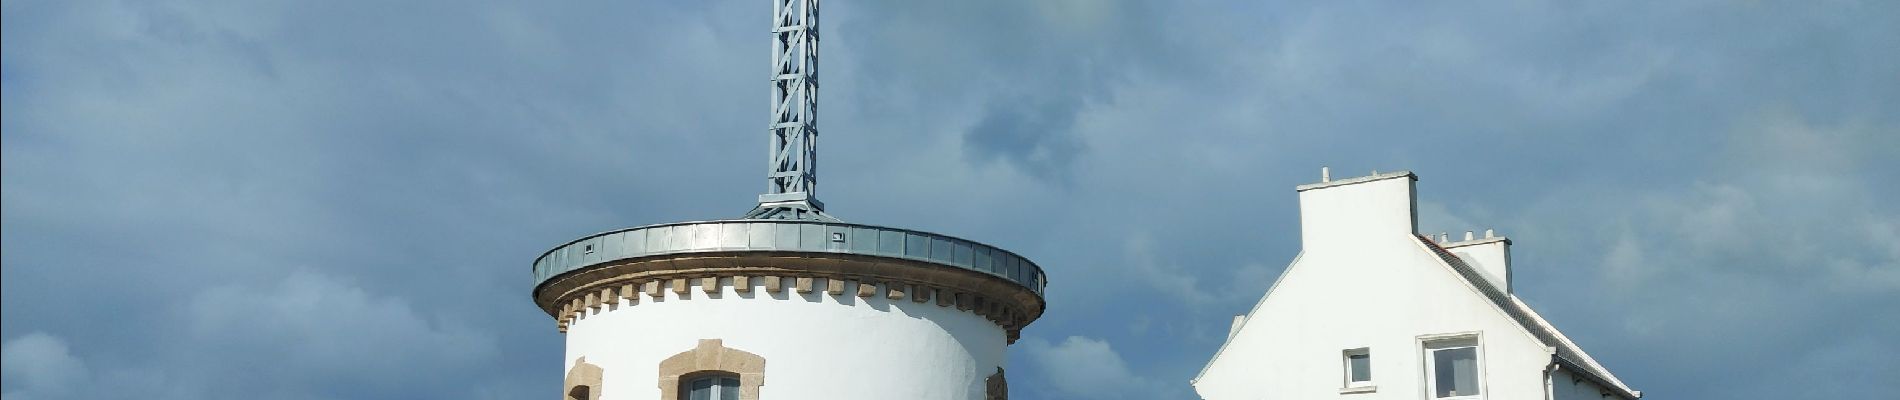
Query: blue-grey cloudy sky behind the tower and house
x: 341, y: 200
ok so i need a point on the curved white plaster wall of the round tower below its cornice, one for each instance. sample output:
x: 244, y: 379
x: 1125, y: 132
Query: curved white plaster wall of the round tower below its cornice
x: 816, y: 346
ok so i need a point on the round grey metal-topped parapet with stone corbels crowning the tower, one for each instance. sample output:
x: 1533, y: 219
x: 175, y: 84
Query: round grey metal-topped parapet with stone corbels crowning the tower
x: 599, y: 270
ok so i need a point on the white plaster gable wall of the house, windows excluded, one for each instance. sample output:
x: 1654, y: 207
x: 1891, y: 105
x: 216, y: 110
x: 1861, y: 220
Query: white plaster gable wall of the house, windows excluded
x: 1363, y: 282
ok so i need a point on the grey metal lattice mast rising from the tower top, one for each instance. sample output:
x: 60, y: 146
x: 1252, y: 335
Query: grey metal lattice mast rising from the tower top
x: 795, y: 109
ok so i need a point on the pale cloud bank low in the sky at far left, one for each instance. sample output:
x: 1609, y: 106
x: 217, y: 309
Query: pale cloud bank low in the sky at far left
x: 303, y: 336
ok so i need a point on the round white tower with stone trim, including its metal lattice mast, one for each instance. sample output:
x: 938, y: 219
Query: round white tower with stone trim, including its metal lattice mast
x: 786, y: 302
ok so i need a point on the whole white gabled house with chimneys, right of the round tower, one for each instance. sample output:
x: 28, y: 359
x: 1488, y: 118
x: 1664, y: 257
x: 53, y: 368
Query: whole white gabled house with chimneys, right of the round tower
x: 1371, y: 310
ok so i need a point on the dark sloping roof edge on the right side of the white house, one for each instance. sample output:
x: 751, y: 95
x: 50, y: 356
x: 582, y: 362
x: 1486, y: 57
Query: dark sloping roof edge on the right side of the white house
x: 1567, y: 352
